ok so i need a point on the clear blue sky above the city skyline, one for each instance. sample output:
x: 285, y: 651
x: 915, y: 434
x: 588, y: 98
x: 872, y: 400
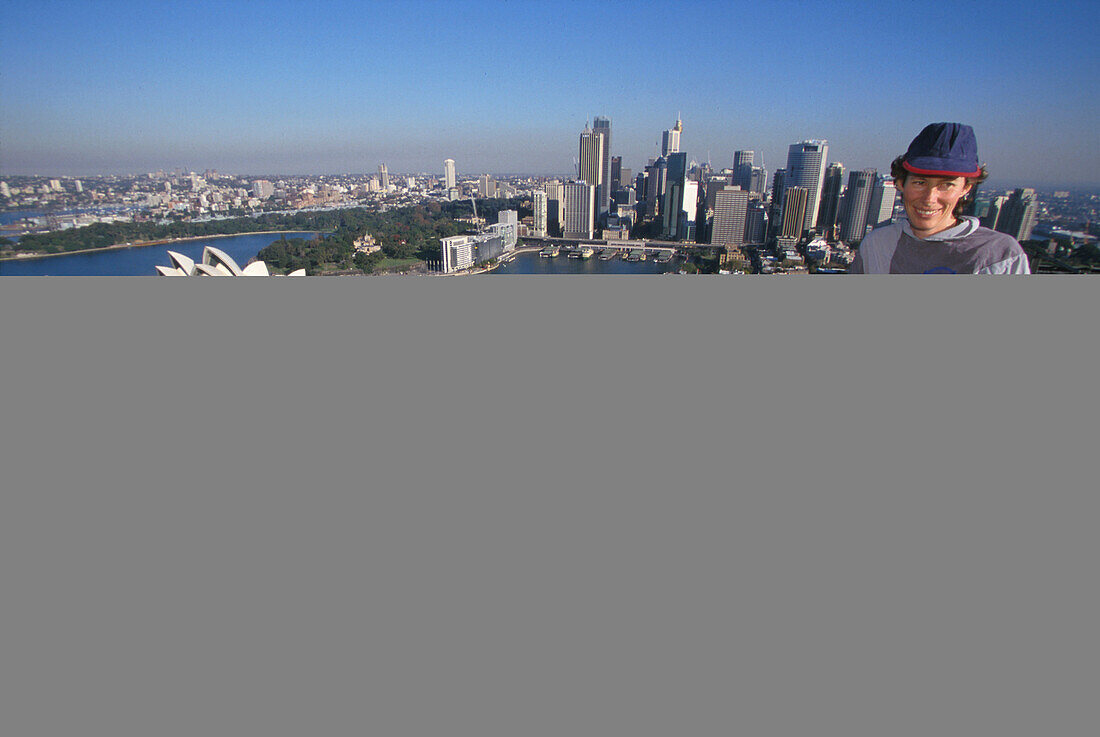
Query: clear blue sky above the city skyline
x: 328, y: 86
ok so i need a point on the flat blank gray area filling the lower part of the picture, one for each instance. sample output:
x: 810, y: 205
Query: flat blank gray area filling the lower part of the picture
x: 548, y: 507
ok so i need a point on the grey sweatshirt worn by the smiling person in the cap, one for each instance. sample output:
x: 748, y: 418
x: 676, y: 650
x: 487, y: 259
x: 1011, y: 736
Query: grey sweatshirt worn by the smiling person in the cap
x: 965, y: 249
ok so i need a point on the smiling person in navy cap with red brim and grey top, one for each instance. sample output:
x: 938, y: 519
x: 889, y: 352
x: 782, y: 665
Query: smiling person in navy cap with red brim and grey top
x: 938, y: 178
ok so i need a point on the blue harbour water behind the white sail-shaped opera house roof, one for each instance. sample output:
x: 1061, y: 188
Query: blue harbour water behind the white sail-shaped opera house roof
x: 140, y: 260
